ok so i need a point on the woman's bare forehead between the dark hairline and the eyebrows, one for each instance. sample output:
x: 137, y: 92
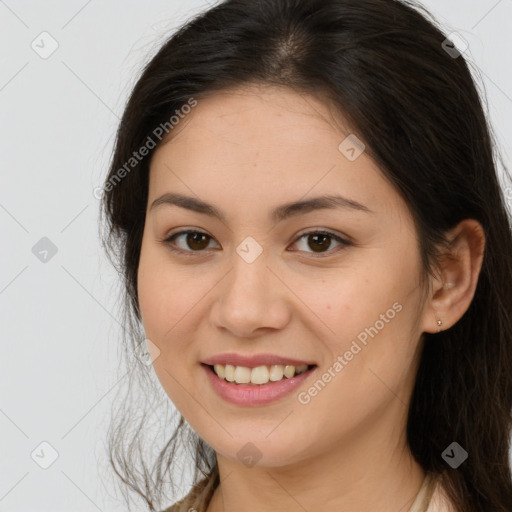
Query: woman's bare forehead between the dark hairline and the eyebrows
x: 267, y: 142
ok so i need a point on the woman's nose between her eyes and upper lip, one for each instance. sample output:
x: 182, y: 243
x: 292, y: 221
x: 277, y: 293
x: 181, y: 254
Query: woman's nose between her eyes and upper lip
x: 250, y: 299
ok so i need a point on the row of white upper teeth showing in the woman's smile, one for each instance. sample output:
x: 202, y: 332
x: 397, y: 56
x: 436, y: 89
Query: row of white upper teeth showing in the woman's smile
x: 259, y: 374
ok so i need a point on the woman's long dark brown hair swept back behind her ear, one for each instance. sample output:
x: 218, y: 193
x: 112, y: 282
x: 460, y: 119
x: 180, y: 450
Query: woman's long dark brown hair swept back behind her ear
x: 415, y: 105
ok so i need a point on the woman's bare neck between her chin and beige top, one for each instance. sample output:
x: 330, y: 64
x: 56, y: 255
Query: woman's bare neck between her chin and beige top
x: 363, y: 477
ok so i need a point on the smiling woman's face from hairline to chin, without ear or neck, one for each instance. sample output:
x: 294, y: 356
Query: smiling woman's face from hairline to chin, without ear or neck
x: 255, y: 282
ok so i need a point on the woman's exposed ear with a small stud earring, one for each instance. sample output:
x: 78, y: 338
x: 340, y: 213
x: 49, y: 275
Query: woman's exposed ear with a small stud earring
x: 452, y: 291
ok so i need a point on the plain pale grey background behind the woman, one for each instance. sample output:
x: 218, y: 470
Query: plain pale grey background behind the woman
x: 60, y: 331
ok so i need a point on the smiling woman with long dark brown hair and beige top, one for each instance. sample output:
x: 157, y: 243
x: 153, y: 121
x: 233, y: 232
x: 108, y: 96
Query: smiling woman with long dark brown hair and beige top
x: 304, y: 206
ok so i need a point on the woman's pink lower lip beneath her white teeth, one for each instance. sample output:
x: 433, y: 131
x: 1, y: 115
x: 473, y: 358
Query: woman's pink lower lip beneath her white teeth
x: 254, y: 394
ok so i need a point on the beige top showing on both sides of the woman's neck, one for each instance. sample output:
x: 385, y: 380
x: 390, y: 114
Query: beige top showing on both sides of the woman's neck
x: 430, y: 497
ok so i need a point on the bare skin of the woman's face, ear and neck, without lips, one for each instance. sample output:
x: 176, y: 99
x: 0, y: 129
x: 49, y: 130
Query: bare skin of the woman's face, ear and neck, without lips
x: 247, y: 151
